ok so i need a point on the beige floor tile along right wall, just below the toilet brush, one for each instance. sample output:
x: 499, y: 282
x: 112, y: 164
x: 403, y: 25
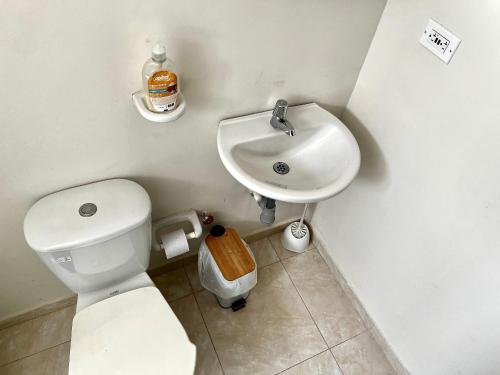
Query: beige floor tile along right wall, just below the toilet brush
x: 330, y: 308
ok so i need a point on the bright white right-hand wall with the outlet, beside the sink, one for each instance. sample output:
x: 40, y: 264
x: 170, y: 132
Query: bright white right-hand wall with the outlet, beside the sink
x: 418, y: 233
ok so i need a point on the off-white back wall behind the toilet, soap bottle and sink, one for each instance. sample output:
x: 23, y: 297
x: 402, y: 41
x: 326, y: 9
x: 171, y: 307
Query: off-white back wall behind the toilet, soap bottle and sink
x: 67, y: 71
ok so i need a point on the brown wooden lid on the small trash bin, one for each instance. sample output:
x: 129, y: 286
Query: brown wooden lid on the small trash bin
x: 229, y: 253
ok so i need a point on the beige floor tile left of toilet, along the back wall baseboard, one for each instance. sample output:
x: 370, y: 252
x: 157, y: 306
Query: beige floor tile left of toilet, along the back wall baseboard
x: 36, y: 335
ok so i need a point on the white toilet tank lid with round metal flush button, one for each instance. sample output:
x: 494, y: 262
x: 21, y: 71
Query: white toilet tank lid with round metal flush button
x: 86, y: 215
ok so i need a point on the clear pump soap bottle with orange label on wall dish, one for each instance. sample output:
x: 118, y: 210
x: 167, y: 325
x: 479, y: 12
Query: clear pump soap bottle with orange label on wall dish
x: 160, y: 80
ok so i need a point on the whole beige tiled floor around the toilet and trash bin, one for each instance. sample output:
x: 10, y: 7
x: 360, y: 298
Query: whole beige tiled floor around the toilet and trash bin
x: 297, y: 321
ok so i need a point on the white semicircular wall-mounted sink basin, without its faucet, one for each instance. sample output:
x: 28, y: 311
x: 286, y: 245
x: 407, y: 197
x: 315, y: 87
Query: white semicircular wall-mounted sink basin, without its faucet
x: 323, y: 157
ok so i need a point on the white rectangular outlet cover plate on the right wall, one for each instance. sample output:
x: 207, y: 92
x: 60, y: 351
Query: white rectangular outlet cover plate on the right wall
x: 439, y: 41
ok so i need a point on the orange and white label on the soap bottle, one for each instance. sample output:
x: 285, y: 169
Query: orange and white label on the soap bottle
x: 162, y: 90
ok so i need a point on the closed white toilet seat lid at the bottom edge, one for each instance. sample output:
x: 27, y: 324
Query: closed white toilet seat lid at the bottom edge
x: 130, y: 334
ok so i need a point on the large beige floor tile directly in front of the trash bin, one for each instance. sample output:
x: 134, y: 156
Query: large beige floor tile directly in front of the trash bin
x: 272, y: 333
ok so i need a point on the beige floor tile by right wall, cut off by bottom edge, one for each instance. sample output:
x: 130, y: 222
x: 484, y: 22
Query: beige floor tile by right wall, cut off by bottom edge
x: 362, y: 356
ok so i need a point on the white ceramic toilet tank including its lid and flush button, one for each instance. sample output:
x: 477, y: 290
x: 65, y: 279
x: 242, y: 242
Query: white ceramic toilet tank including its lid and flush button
x: 92, y: 236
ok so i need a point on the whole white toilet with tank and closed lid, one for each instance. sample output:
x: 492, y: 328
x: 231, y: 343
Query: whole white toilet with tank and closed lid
x: 97, y: 238
